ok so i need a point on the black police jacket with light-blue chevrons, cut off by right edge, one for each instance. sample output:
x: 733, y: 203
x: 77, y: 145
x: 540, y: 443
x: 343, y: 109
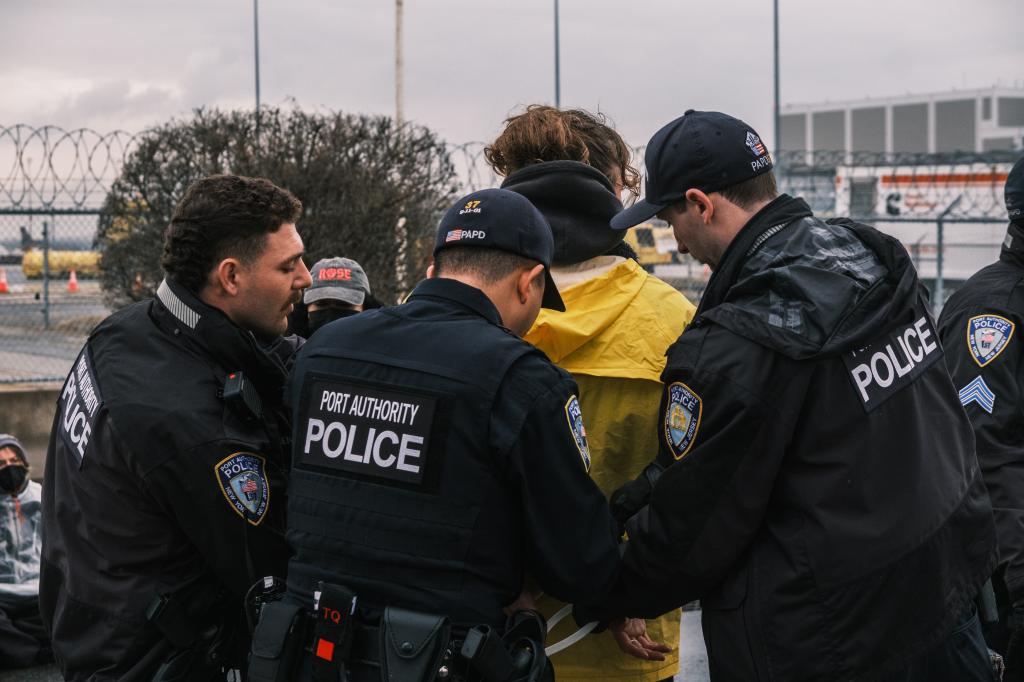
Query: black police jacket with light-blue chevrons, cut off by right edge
x: 980, y: 330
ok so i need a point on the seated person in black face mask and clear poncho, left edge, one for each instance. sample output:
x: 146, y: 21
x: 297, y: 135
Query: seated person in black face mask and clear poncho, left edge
x: 23, y: 637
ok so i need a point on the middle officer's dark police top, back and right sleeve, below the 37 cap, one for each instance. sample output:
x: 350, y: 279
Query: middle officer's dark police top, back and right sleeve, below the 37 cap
x: 438, y: 459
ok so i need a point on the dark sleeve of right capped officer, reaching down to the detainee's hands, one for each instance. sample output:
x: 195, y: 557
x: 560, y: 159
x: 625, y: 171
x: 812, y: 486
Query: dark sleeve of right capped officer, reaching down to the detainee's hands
x: 708, y: 506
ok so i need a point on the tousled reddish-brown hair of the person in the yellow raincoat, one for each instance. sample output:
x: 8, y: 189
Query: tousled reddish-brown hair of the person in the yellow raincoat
x: 545, y: 134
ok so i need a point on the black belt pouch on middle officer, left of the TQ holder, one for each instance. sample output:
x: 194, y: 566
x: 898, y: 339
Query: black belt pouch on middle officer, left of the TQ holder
x: 278, y: 642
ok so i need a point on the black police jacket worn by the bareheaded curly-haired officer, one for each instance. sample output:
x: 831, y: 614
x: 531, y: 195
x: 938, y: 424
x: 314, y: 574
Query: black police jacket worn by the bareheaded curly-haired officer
x: 155, y: 486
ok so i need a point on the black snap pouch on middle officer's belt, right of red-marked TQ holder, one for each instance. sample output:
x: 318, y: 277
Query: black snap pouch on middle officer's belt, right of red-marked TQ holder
x: 412, y: 646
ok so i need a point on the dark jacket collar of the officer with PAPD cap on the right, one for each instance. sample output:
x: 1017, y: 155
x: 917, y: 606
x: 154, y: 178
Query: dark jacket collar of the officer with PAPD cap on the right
x: 772, y: 220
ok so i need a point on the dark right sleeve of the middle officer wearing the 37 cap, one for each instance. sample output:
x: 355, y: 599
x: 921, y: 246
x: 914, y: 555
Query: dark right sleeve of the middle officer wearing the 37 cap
x: 571, y: 537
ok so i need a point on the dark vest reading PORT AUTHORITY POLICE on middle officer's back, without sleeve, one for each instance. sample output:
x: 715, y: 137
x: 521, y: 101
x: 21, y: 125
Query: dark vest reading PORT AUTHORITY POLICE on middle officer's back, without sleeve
x: 397, y: 488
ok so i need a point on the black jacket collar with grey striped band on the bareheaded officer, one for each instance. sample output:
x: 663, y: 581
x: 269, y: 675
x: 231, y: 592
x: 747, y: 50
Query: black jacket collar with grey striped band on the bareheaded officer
x: 210, y: 331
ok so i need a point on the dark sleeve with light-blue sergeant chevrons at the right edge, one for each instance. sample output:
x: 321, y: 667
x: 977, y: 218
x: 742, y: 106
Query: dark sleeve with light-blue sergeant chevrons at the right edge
x: 1000, y: 434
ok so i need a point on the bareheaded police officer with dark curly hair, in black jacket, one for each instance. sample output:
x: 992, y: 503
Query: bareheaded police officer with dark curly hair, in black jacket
x: 165, y: 476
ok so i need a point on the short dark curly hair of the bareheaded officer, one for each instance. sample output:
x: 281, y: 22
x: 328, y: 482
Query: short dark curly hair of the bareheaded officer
x: 222, y: 217
